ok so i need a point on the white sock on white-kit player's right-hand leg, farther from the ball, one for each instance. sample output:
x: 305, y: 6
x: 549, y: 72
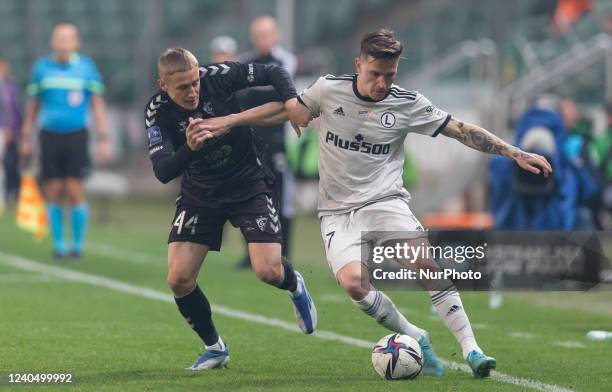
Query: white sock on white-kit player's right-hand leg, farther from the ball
x: 451, y: 312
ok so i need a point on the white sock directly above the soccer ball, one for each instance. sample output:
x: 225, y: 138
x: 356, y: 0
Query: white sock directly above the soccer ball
x: 377, y: 305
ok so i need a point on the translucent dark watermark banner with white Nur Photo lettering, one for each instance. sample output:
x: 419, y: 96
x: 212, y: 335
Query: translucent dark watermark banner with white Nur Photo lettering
x: 474, y: 260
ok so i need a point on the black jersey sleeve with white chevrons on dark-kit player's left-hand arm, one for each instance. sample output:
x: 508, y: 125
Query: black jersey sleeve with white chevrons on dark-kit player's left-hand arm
x: 167, y: 163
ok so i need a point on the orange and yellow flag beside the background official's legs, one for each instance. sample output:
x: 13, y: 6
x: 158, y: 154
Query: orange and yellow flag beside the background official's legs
x: 31, y: 209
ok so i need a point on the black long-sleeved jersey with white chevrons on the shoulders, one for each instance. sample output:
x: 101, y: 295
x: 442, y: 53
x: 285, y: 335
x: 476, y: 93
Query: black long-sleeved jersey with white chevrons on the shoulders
x: 223, y: 168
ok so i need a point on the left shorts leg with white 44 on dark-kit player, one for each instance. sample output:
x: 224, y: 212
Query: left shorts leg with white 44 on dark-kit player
x: 197, y: 225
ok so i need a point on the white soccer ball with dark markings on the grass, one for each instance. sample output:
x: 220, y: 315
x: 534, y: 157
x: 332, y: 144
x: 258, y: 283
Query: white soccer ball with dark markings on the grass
x: 397, y: 356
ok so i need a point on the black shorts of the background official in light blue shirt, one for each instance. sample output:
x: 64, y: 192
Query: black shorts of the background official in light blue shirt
x: 64, y: 154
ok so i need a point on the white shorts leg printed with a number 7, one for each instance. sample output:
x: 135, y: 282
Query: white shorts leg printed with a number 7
x: 341, y: 240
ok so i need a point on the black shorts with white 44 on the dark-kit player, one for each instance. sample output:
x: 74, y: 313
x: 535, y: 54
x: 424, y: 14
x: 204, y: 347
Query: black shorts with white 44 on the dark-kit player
x: 257, y: 218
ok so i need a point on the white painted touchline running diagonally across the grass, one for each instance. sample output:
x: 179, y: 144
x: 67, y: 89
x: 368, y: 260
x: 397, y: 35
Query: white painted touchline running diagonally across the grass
x: 99, y: 281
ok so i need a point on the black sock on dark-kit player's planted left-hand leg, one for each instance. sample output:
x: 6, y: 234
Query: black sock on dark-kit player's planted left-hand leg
x: 196, y: 310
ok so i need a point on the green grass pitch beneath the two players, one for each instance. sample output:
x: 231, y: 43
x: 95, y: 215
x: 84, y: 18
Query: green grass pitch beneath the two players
x: 116, y: 341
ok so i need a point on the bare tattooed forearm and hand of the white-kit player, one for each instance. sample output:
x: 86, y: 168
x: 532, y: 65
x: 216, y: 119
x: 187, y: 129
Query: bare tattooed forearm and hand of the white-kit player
x: 482, y: 140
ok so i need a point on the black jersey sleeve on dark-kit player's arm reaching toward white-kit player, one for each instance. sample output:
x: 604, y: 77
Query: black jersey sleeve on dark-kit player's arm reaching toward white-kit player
x: 236, y: 76
